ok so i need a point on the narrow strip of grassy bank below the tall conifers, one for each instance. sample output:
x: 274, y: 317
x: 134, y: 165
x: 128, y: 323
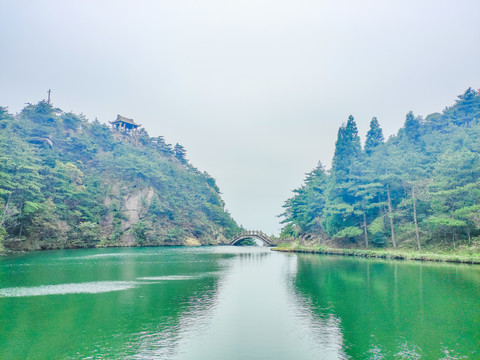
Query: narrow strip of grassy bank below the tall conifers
x: 384, y: 254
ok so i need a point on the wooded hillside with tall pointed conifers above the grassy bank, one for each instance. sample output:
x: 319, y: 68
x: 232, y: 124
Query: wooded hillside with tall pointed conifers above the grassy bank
x: 418, y: 189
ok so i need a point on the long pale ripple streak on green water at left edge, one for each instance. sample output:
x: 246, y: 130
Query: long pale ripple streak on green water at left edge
x: 63, y: 289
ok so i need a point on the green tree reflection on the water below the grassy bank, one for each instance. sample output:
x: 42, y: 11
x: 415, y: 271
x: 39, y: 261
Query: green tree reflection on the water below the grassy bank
x: 395, y: 310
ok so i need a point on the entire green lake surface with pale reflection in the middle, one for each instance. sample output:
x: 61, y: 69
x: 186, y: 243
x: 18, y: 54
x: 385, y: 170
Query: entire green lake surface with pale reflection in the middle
x: 234, y: 303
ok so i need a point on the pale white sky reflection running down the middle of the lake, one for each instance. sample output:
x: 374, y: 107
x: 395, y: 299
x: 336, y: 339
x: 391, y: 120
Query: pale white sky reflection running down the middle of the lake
x: 255, y: 314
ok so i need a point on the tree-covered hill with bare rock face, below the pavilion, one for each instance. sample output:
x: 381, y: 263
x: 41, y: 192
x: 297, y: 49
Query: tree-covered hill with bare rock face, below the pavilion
x: 66, y: 182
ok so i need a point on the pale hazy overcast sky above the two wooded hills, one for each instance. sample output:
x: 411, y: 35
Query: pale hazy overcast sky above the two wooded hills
x: 254, y: 89
